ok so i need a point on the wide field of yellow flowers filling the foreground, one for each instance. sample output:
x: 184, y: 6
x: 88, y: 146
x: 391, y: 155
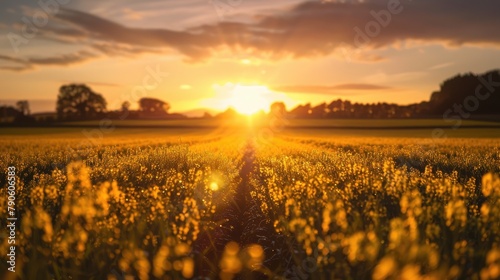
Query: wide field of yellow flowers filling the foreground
x: 165, y: 203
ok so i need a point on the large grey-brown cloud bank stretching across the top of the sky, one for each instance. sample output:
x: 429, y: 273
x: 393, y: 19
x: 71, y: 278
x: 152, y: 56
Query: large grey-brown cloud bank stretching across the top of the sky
x: 309, y: 29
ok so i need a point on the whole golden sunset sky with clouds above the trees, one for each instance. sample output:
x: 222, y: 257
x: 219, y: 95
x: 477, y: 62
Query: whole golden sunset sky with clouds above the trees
x: 220, y: 53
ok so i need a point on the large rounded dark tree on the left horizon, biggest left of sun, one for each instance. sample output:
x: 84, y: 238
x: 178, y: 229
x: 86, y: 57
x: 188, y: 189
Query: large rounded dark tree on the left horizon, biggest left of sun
x: 79, y: 101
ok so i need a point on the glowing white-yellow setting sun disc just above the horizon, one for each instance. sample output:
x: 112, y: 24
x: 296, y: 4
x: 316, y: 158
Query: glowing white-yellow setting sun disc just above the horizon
x: 249, y: 99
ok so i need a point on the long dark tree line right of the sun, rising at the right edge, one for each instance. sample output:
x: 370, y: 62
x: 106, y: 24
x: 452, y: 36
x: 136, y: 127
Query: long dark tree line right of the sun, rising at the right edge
x: 459, y: 96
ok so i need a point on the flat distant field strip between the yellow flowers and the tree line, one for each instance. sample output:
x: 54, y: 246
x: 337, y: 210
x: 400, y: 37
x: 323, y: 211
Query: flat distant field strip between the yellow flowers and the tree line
x: 312, y: 127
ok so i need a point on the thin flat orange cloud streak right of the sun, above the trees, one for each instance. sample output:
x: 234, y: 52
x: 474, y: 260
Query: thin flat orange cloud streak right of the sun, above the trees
x: 319, y: 89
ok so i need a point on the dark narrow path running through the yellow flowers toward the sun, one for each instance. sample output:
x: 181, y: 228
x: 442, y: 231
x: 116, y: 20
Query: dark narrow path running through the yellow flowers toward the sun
x: 242, y: 221
